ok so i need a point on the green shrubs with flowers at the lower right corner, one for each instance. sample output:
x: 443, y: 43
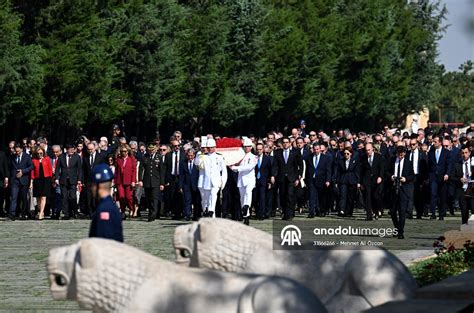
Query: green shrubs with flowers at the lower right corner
x: 448, y: 262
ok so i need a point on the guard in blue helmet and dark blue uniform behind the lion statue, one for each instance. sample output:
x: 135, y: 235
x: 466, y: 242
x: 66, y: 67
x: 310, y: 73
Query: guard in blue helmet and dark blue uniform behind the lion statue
x: 107, y: 220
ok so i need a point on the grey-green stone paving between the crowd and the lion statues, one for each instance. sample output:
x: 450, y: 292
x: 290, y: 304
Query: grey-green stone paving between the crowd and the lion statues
x: 24, y: 247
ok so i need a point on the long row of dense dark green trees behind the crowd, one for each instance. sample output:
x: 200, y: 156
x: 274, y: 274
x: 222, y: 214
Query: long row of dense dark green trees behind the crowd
x: 71, y: 66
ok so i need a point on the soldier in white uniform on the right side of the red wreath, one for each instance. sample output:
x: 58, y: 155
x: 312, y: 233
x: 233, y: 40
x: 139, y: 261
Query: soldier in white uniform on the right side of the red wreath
x: 246, y: 179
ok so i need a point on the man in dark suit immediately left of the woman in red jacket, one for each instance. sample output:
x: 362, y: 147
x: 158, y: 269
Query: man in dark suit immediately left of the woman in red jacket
x: 20, y: 168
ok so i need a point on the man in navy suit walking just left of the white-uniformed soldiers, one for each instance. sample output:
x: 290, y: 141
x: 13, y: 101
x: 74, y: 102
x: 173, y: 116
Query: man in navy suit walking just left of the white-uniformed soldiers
x: 188, y: 179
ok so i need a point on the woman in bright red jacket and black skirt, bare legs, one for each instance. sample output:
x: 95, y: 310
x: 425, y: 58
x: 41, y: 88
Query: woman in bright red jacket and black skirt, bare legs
x: 41, y: 179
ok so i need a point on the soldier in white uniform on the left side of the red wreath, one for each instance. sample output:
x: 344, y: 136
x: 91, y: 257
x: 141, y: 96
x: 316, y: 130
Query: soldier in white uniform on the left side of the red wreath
x: 214, y: 177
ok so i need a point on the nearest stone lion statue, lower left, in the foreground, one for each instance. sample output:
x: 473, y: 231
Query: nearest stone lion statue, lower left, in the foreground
x: 107, y: 276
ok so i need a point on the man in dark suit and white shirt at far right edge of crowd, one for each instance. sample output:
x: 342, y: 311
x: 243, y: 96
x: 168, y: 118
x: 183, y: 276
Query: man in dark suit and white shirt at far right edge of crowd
x: 461, y: 175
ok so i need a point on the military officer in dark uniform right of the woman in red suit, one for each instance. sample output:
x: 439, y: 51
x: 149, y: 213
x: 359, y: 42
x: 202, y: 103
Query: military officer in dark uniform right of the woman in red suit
x: 151, y: 176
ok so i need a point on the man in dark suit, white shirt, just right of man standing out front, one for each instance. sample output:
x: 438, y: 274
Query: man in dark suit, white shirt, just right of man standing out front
x: 420, y: 168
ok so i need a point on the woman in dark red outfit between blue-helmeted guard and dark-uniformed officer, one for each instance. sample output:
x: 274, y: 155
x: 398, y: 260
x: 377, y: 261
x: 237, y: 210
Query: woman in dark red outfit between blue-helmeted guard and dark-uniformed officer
x: 125, y: 179
